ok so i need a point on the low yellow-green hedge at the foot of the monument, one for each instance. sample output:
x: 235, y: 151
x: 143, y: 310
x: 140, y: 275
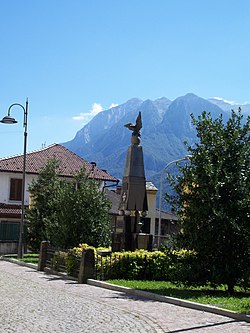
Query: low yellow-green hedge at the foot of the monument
x: 174, y: 266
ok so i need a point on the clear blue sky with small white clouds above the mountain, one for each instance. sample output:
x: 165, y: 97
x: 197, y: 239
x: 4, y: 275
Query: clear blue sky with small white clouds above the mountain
x: 73, y: 58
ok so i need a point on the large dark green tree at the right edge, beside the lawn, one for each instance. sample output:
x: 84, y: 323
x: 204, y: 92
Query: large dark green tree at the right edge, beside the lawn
x: 213, y: 198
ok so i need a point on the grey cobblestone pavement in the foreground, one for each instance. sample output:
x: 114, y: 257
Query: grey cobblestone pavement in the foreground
x: 32, y: 301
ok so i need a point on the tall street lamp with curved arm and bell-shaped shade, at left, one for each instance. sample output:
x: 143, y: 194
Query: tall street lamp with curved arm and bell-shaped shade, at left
x: 10, y: 120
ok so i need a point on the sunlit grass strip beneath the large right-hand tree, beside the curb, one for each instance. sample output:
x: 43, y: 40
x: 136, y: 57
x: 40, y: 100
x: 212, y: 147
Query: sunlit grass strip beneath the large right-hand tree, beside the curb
x: 239, y: 302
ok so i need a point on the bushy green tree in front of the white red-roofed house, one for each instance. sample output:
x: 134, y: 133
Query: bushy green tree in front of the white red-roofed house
x: 67, y: 213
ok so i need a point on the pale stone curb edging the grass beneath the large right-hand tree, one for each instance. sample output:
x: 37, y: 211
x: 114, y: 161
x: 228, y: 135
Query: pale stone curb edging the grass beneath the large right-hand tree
x: 171, y: 300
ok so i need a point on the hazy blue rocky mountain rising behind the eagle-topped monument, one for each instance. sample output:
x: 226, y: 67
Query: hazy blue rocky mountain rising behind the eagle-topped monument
x: 166, y: 125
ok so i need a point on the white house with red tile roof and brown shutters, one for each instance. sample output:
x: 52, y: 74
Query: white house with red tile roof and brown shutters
x: 11, y: 173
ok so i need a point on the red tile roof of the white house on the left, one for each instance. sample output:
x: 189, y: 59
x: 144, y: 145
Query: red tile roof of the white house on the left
x: 70, y: 163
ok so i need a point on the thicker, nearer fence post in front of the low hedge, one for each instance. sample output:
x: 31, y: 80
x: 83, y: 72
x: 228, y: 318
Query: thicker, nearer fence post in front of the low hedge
x: 87, y: 266
